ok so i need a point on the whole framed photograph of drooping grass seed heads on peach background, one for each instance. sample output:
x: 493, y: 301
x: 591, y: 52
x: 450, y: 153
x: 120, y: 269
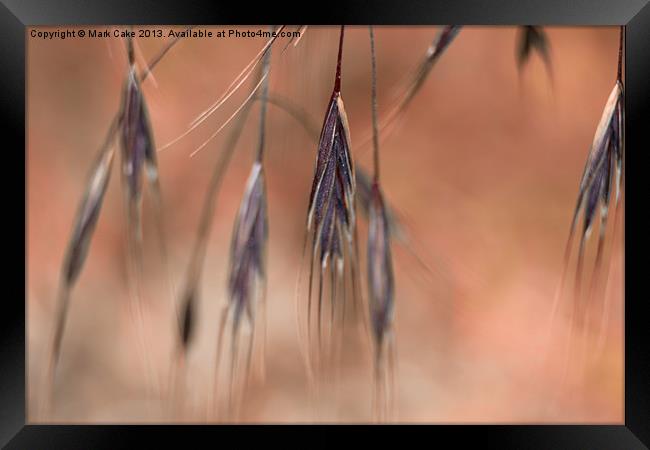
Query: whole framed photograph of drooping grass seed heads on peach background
x: 311, y: 224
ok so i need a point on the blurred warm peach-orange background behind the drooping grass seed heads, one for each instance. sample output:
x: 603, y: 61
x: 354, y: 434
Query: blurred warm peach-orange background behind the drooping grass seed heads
x: 485, y: 167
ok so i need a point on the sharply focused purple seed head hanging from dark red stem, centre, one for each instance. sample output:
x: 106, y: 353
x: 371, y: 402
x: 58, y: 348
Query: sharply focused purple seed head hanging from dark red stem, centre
x: 331, y: 217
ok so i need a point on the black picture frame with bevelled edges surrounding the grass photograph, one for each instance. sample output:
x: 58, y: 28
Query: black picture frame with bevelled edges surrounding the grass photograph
x: 15, y: 15
